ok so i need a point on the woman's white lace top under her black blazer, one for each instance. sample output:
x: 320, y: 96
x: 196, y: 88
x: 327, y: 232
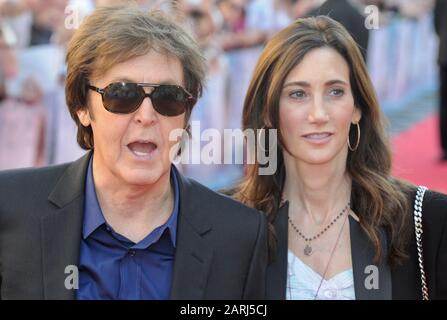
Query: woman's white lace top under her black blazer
x: 303, y: 282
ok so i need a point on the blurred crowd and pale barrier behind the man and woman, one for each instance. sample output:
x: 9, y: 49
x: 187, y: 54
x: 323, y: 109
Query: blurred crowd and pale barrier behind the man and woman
x: 36, y: 129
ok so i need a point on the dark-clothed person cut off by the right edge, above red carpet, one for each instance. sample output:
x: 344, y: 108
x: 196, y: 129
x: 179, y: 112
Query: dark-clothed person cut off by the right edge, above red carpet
x: 441, y: 31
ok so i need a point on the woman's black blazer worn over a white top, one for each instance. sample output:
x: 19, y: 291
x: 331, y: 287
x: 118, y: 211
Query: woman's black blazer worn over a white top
x: 402, y: 282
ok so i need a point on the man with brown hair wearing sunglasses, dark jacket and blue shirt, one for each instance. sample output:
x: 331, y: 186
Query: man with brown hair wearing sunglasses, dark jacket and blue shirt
x: 121, y: 222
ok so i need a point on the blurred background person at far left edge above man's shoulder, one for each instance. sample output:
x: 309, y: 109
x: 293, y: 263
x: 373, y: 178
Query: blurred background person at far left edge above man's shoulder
x: 22, y: 114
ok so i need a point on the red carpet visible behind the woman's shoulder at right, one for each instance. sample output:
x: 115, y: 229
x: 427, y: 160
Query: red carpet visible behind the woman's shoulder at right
x: 416, y: 156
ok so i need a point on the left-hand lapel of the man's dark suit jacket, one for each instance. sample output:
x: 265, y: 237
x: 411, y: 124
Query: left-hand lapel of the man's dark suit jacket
x: 61, y: 230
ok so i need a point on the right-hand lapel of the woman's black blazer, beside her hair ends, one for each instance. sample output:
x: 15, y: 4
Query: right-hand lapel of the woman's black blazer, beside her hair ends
x: 363, y: 267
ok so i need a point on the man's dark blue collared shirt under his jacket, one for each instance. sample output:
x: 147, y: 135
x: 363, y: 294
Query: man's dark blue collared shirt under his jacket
x: 114, y: 267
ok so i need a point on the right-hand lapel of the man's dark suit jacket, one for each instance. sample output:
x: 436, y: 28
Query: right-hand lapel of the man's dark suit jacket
x: 193, y: 255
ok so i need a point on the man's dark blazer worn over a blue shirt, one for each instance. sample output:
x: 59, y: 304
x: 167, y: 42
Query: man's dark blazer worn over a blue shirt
x: 221, y: 248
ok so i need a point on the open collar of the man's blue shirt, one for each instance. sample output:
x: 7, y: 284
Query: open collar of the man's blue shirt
x: 94, y: 218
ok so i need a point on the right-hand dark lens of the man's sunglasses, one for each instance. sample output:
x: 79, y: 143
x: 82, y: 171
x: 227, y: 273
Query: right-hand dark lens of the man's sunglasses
x: 169, y: 100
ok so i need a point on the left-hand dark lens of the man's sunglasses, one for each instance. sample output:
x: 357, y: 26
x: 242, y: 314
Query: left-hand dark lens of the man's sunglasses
x: 123, y: 97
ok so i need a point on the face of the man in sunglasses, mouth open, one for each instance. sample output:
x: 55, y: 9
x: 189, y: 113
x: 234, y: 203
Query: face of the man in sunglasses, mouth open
x: 134, y: 148
